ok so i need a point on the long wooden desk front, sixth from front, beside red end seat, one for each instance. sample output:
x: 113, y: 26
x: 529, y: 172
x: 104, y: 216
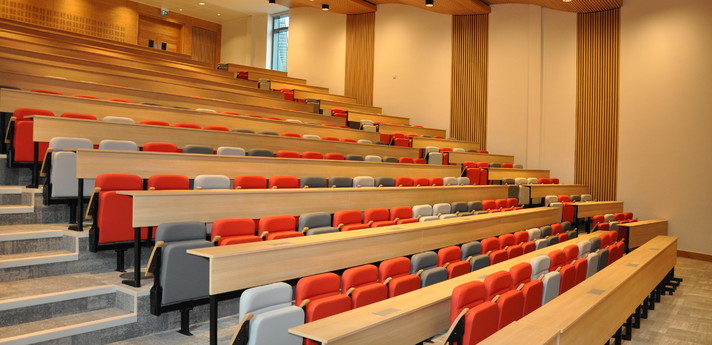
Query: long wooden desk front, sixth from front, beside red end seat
x: 48, y: 127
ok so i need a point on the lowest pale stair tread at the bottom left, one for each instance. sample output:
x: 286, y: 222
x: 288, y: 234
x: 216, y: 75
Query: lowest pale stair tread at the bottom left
x: 69, y: 321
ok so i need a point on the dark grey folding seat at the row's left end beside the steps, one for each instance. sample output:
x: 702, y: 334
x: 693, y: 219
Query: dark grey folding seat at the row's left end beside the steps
x: 180, y: 279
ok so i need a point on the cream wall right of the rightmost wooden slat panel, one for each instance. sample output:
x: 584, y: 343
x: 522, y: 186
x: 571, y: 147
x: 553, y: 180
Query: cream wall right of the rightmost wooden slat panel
x: 665, y: 153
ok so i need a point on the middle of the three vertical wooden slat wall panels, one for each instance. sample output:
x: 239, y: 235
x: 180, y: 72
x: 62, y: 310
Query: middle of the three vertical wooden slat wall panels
x: 468, y: 118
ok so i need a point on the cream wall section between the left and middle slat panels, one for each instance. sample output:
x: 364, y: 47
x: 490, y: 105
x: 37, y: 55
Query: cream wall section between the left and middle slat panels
x: 412, y: 64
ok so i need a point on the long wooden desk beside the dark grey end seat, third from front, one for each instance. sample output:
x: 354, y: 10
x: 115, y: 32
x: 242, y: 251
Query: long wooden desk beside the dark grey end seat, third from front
x: 279, y: 260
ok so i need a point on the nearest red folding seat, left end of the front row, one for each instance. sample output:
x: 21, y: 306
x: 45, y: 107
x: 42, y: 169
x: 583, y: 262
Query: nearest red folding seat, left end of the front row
x: 481, y: 318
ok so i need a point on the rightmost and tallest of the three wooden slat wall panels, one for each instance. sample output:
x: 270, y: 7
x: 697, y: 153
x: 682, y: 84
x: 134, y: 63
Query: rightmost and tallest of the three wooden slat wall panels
x: 597, y: 95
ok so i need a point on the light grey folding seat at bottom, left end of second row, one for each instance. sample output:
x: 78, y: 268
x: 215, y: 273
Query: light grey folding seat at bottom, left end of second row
x: 267, y: 314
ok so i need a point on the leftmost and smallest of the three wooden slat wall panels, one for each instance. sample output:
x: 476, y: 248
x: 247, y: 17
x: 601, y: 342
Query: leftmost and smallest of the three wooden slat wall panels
x: 360, y: 41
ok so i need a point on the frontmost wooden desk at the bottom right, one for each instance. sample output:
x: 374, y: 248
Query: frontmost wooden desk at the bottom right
x: 581, y: 317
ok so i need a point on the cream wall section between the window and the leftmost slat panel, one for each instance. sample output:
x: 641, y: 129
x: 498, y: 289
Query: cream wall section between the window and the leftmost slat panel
x: 317, y: 48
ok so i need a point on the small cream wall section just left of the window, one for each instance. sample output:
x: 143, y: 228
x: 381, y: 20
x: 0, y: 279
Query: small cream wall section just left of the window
x: 244, y: 41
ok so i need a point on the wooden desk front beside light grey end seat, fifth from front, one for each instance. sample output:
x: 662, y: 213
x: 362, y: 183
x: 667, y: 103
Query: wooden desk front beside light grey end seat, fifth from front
x: 91, y: 163
